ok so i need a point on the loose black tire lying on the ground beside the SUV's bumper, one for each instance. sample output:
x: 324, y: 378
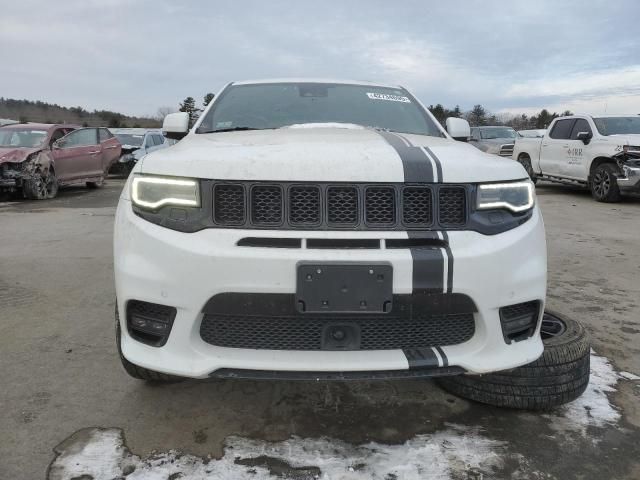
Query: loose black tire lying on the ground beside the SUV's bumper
x: 559, y: 376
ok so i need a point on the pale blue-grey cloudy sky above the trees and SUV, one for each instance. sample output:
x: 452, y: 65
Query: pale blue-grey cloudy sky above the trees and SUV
x: 137, y: 56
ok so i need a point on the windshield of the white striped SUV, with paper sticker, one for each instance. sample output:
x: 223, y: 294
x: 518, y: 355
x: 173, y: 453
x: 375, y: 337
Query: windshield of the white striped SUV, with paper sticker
x: 277, y: 105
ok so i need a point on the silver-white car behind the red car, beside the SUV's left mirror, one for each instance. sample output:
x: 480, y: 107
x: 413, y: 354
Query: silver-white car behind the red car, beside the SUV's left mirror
x: 136, y: 142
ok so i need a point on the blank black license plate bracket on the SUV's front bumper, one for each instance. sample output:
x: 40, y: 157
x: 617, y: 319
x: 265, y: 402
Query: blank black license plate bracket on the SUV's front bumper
x: 344, y: 288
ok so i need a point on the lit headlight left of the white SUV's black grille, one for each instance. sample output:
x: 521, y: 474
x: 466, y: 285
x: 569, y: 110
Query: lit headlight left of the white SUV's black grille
x: 155, y: 192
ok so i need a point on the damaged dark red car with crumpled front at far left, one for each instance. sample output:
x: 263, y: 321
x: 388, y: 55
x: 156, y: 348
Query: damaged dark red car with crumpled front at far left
x: 36, y: 159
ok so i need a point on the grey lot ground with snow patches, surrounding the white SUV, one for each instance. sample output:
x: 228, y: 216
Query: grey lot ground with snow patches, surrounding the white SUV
x: 61, y: 377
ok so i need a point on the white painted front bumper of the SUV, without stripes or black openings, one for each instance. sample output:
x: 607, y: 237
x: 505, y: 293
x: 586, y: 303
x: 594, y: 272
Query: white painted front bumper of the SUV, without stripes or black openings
x: 185, y: 270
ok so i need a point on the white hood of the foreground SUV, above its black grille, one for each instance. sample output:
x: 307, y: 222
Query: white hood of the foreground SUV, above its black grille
x: 323, y: 155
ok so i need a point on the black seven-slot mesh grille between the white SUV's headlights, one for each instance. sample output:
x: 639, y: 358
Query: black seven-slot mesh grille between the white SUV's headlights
x: 331, y: 206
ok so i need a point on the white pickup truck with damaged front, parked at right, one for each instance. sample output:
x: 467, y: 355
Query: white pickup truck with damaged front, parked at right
x: 600, y: 152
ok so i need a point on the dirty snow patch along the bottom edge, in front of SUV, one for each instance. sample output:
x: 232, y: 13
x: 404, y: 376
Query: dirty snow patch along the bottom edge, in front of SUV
x: 456, y: 452
